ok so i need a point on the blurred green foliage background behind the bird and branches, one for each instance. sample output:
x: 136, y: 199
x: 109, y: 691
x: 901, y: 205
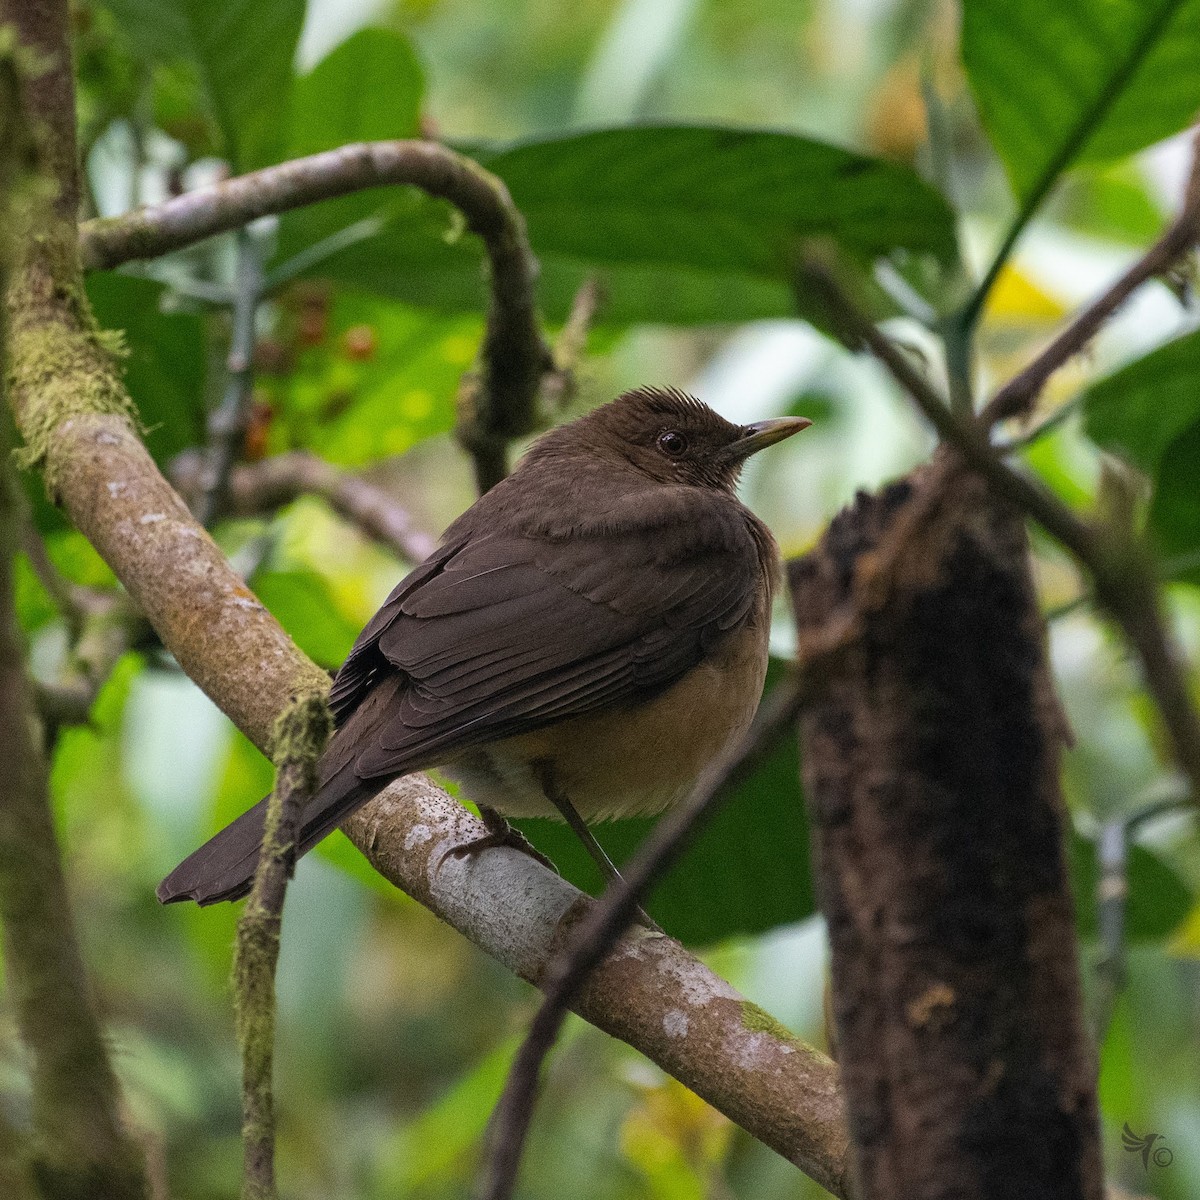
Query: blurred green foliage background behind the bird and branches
x: 394, y: 1033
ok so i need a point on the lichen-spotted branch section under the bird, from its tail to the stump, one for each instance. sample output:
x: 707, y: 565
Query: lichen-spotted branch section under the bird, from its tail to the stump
x: 649, y: 992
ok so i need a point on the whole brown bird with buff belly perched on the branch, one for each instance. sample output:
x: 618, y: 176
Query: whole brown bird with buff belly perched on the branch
x: 589, y: 637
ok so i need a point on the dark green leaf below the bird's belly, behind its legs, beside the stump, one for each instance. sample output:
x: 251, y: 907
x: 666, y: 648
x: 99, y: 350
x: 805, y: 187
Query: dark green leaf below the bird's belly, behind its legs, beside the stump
x: 748, y: 871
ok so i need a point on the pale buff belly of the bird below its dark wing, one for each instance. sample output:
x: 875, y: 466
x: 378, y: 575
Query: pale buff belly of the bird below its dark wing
x: 629, y: 763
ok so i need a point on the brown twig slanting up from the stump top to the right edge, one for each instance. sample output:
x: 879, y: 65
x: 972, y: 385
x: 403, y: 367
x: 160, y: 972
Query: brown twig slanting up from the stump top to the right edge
x: 1018, y: 395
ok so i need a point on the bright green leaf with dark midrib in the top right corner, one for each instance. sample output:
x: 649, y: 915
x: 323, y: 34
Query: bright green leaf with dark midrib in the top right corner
x: 1081, y: 81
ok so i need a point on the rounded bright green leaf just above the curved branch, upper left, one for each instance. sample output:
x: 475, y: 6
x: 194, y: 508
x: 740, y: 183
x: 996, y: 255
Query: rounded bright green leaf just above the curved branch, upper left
x: 369, y: 89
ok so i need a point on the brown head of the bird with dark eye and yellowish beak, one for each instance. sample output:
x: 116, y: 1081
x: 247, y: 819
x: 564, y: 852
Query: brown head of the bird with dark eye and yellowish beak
x: 675, y: 439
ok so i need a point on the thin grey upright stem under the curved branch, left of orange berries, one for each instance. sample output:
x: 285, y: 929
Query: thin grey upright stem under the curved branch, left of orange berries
x: 227, y: 422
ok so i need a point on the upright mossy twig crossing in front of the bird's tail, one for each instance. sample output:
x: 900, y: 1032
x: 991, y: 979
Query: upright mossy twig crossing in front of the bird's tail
x: 301, y: 739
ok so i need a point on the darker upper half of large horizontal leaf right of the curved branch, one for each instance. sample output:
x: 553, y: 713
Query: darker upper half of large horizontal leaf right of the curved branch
x: 717, y: 199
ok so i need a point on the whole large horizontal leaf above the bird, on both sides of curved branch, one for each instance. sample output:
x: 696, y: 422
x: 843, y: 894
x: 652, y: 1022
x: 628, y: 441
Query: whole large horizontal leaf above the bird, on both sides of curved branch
x: 685, y: 224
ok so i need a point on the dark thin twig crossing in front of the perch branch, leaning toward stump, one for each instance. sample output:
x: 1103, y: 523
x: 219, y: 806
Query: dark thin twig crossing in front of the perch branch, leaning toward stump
x: 599, y: 932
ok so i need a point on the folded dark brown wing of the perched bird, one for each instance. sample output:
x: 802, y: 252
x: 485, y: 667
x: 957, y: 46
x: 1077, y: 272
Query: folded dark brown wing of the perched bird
x: 502, y: 633
